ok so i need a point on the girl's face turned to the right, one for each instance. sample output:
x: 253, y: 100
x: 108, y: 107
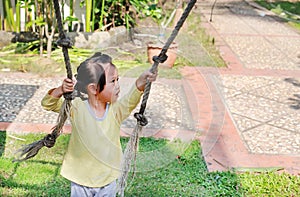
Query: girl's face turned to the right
x: 111, y: 90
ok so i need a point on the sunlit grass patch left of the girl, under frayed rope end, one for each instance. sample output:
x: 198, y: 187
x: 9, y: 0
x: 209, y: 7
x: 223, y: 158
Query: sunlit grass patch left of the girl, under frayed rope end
x: 36, y: 177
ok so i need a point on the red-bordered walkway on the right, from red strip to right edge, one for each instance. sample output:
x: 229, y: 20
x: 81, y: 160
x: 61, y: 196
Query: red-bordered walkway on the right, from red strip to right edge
x: 252, y: 117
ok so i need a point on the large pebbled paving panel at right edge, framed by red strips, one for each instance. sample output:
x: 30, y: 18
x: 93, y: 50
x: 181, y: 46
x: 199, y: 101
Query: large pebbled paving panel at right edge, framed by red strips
x: 258, y: 110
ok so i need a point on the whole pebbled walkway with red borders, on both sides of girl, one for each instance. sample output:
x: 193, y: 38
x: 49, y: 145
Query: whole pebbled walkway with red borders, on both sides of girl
x: 246, y: 115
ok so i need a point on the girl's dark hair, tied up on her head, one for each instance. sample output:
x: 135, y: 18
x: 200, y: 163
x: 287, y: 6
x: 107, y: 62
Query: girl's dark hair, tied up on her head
x: 92, y: 71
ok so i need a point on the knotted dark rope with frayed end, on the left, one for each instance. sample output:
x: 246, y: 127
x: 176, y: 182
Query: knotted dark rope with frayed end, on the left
x: 30, y: 150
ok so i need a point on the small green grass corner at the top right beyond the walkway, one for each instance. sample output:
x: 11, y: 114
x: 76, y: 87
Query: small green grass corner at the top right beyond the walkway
x: 289, y: 11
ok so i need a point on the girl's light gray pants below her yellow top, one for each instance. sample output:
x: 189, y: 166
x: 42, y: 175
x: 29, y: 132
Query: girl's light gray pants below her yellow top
x: 82, y: 191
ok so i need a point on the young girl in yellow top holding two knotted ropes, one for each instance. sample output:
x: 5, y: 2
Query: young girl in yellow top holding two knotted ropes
x: 93, y: 158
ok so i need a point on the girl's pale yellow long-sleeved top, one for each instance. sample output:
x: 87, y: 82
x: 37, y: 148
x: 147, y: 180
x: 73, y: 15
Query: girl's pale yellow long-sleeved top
x: 94, y: 153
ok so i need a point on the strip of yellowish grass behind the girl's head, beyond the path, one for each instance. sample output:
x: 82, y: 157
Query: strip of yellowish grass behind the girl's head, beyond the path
x: 129, y: 65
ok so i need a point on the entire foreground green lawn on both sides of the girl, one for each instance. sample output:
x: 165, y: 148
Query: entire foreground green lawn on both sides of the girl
x: 179, y: 170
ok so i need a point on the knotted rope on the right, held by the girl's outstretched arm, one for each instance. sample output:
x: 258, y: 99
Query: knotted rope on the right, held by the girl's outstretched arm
x: 131, y: 148
